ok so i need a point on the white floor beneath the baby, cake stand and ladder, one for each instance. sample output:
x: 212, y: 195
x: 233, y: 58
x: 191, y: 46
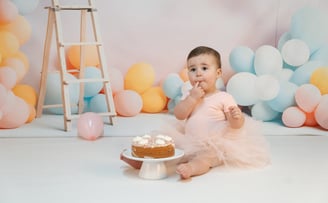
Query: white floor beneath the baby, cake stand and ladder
x: 40, y: 162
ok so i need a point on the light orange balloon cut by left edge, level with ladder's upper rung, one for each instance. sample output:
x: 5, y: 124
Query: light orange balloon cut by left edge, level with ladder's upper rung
x: 9, y: 44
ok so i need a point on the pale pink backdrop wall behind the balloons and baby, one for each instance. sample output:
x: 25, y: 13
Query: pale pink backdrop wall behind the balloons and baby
x: 162, y: 32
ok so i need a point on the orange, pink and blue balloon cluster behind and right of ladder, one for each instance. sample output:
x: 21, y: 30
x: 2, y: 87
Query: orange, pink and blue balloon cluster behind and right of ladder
x: 133, y: 92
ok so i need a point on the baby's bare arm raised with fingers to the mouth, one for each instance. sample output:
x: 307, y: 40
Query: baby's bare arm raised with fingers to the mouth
x: 184, y: 108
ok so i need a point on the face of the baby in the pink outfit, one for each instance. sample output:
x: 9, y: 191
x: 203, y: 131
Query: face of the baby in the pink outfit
x: 203, y: 69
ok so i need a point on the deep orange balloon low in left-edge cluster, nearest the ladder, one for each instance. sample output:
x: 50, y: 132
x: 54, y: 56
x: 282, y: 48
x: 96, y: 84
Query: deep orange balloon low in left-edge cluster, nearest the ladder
x: 26, y: 92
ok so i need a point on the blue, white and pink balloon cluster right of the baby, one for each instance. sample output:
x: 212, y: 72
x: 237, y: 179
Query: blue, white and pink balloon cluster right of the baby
x: 289, y: 81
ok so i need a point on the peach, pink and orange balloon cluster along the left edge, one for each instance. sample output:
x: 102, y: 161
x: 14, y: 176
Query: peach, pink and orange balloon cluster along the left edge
x: 17, y: 101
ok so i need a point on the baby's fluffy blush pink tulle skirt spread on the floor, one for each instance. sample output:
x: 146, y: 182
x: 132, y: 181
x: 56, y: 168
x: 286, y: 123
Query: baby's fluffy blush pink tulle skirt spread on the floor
x: 243, y: 148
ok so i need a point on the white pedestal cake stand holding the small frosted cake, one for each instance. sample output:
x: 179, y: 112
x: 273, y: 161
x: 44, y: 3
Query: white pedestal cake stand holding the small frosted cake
x: 153, y: 168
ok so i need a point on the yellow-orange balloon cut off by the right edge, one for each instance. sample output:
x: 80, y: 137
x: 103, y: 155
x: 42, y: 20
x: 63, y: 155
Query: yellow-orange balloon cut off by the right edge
x: 319, y: 78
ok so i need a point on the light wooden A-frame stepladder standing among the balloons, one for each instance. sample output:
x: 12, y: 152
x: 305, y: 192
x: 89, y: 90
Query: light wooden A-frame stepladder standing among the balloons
x: 54, y: 21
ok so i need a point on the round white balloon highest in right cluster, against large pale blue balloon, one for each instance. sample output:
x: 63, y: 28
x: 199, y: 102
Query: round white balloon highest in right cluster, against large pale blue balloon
x: 295, y: 52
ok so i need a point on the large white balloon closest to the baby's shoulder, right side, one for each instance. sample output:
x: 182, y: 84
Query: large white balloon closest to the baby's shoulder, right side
x: 242, y: 86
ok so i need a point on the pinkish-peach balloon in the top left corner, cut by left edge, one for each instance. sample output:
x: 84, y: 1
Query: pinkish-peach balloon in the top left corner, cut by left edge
x: 8, y: 11
